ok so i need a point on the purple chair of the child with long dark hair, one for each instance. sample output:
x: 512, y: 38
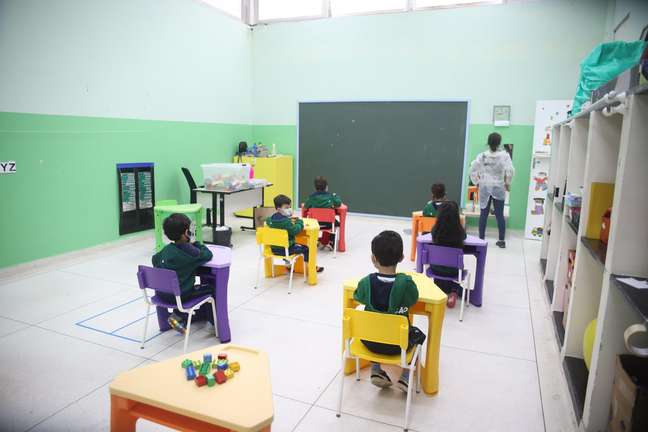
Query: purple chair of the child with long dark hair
x: 449, y: 257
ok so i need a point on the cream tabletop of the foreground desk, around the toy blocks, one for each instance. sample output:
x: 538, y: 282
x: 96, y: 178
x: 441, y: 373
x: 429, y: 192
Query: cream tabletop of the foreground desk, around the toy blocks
x: 243, y: 403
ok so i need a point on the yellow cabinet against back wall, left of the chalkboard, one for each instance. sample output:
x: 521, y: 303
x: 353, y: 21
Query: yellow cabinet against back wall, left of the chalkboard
x: 277, y: 170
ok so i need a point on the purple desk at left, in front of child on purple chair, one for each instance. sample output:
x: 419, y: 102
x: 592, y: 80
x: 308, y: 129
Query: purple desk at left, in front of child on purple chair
x: 215, y: 272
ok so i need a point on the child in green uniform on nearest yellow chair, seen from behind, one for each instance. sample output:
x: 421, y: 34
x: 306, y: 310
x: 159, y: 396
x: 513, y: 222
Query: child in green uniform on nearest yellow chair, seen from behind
x: 387, y: 292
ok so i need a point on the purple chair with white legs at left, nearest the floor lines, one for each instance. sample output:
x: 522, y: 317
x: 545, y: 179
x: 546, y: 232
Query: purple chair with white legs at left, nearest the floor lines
x: 166, y: 281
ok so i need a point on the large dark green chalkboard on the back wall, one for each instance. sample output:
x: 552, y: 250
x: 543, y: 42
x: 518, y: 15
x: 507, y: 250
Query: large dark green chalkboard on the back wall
x: 382, y: 157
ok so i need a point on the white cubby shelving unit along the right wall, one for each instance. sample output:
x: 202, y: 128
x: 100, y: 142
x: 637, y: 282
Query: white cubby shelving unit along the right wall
x: 603, y: 146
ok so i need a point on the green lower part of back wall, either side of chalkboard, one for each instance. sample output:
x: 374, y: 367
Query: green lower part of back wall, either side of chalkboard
x: 521, y: 136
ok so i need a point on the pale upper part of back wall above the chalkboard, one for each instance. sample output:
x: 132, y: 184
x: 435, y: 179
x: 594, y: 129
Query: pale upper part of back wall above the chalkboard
x: 512, y: 54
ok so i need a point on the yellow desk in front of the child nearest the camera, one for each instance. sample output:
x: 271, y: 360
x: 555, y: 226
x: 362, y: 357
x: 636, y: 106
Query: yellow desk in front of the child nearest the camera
x: 431, y: 303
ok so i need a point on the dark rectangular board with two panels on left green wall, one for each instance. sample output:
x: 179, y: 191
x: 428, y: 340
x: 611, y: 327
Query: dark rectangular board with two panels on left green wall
x: 136, y: 186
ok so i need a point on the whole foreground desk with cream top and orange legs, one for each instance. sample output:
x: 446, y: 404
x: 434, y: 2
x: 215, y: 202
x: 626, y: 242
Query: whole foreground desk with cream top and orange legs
x: 160, y: 393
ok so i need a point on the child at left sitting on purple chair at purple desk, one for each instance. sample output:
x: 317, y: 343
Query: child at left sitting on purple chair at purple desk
x: 184, y: 258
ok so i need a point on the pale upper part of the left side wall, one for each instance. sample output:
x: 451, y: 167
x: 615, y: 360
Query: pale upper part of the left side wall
x: 145, y: 59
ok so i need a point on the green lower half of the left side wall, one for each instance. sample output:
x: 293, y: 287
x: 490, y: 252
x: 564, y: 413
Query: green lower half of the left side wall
x: 64, y: 194
